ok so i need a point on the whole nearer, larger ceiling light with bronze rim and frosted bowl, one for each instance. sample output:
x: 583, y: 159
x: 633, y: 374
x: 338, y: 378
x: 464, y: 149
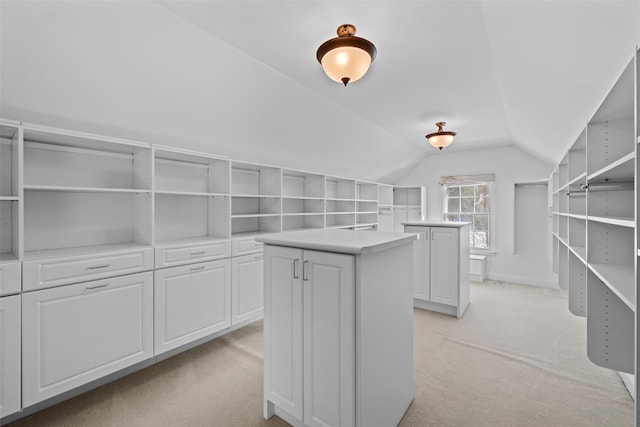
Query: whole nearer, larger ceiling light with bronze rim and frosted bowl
x: 346, y: 58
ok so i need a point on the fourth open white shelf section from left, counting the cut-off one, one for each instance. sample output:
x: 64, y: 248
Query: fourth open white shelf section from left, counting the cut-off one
x: 255, y: 199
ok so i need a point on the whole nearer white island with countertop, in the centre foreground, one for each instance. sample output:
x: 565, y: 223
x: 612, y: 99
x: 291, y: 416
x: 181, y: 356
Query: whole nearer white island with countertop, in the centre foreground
x: 338, y: 323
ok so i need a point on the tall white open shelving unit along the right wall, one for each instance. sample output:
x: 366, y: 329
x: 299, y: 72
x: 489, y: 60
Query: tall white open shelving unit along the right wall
x: 595, y: 233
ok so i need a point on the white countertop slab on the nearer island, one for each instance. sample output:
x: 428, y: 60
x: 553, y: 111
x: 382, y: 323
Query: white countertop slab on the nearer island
x: 340, y: 241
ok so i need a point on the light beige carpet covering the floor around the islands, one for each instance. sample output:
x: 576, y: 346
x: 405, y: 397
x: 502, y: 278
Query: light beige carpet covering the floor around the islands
x: 517, y: 358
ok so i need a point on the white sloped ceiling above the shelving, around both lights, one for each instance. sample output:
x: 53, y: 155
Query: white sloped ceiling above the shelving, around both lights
x: 240, y: 78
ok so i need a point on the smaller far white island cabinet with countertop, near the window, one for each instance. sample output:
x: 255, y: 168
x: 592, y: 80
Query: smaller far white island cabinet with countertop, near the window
x: 441, y: 266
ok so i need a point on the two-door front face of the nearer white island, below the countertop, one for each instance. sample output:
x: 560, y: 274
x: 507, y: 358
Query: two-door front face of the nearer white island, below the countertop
x: 316, y: 360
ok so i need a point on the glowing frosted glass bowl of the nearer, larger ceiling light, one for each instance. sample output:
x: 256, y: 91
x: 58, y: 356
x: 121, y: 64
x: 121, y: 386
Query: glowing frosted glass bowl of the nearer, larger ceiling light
x: 346, y: 62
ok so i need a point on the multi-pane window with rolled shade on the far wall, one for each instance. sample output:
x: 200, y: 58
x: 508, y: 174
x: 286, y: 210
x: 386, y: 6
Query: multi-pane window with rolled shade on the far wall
x: 470, y: 199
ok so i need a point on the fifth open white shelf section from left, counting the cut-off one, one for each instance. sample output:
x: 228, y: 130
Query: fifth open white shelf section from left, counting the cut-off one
x: 302, y: 200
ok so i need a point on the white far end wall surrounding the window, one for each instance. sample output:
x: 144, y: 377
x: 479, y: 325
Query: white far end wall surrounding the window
x: 510, y: 165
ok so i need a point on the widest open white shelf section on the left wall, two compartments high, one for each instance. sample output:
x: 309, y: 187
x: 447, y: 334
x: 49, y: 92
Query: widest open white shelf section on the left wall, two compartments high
x: 84, y: 193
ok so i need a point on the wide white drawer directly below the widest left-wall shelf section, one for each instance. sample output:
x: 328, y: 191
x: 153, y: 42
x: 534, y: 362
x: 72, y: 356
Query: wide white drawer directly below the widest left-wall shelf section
x: 47, y: 273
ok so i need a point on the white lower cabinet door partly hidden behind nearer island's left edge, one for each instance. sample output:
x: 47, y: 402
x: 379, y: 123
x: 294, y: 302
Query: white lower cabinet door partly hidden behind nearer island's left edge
x: 247, y: 290
